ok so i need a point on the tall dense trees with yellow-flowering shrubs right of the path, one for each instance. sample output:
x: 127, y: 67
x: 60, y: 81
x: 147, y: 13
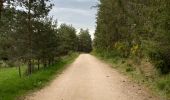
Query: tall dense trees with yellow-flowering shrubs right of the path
x: 135, y: 28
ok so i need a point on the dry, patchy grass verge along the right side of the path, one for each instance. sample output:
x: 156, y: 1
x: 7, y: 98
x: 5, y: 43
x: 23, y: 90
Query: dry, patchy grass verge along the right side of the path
x: 160, y: 85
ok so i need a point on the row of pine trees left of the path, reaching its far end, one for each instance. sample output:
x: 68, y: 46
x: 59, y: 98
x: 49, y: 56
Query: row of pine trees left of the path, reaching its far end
x: 28, y: 35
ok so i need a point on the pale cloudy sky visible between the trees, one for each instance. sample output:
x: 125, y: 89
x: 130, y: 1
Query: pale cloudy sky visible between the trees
x: 79, y: 13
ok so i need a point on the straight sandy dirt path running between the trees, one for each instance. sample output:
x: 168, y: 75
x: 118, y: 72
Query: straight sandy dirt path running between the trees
x: 90, y: 79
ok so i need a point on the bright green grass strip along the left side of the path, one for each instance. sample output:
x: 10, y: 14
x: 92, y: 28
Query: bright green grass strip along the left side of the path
x: 12, y: 87
